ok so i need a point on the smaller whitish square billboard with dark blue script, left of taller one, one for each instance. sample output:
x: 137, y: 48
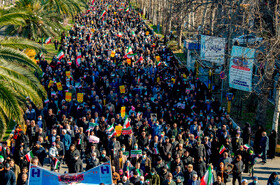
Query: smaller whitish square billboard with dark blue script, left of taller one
x: 212, y: 49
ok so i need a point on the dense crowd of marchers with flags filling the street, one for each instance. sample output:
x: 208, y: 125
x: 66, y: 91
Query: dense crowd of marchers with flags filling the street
x: 112, y: 70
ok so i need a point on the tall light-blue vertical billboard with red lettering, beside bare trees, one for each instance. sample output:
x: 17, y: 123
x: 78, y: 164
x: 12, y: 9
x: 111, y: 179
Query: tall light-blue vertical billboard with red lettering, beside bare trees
x: 241, y: 68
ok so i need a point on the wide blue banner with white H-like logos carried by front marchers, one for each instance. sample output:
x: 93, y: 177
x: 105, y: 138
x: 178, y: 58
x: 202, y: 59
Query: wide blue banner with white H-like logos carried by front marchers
x: 94, y: 176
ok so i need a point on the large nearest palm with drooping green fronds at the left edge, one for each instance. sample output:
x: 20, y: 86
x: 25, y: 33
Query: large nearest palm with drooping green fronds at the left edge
x: 17, y: 80
